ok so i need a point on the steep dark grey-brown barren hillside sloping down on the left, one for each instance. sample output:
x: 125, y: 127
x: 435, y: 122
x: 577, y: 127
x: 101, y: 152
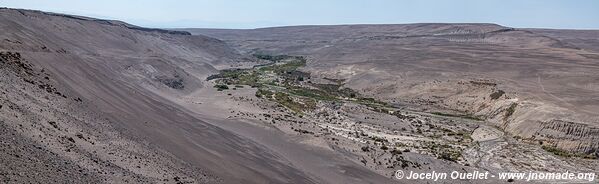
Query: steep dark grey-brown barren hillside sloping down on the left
x: 85, y: 100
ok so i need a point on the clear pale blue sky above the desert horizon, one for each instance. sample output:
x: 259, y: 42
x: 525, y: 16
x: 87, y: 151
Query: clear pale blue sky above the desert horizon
x: 245, y: 14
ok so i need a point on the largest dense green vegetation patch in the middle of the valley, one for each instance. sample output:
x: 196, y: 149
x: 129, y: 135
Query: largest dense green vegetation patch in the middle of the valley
x: 282, y: 82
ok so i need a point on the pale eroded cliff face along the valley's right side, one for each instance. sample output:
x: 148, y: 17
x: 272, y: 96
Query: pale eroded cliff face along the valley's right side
x: 523, y: 117
